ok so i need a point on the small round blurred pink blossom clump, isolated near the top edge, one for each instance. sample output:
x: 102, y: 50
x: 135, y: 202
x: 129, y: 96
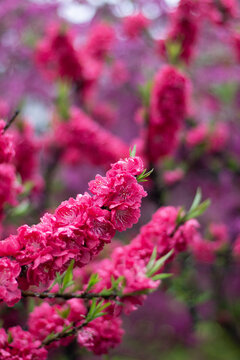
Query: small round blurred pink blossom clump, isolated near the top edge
x: 135, y: 24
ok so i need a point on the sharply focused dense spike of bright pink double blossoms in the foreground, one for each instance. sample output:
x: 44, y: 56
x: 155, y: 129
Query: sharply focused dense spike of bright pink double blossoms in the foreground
x: 79, y: 227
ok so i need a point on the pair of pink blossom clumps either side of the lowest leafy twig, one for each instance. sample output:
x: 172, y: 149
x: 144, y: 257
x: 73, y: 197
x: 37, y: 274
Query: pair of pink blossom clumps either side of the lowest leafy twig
x: 99, y: 336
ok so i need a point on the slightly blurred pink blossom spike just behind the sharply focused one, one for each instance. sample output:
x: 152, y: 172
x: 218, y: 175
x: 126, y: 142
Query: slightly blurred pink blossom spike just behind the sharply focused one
x: 131, y: 261
